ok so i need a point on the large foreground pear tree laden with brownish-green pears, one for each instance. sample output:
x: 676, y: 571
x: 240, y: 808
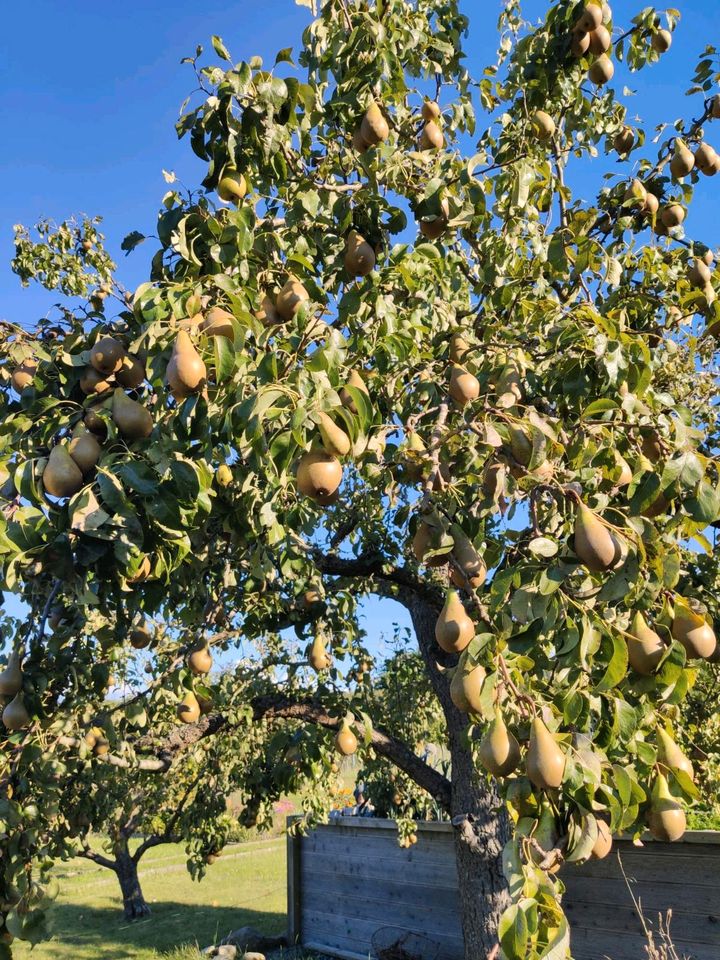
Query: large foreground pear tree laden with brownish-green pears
x: 386, y: 349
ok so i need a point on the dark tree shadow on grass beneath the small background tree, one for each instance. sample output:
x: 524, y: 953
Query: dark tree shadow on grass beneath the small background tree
x: 102, y: 933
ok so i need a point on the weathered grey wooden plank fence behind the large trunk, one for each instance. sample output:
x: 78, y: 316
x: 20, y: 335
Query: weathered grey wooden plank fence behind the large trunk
x: 349, y: 878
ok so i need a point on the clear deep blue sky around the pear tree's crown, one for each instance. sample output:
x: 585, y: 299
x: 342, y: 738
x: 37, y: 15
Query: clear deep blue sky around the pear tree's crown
x: 89, y: 94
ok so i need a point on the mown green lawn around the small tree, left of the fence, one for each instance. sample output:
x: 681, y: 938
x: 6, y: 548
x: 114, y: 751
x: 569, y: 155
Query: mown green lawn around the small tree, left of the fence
x: 245, y: 886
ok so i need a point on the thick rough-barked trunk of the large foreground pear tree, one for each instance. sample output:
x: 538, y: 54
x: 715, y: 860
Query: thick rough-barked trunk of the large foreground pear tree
x: 482, y: 823
